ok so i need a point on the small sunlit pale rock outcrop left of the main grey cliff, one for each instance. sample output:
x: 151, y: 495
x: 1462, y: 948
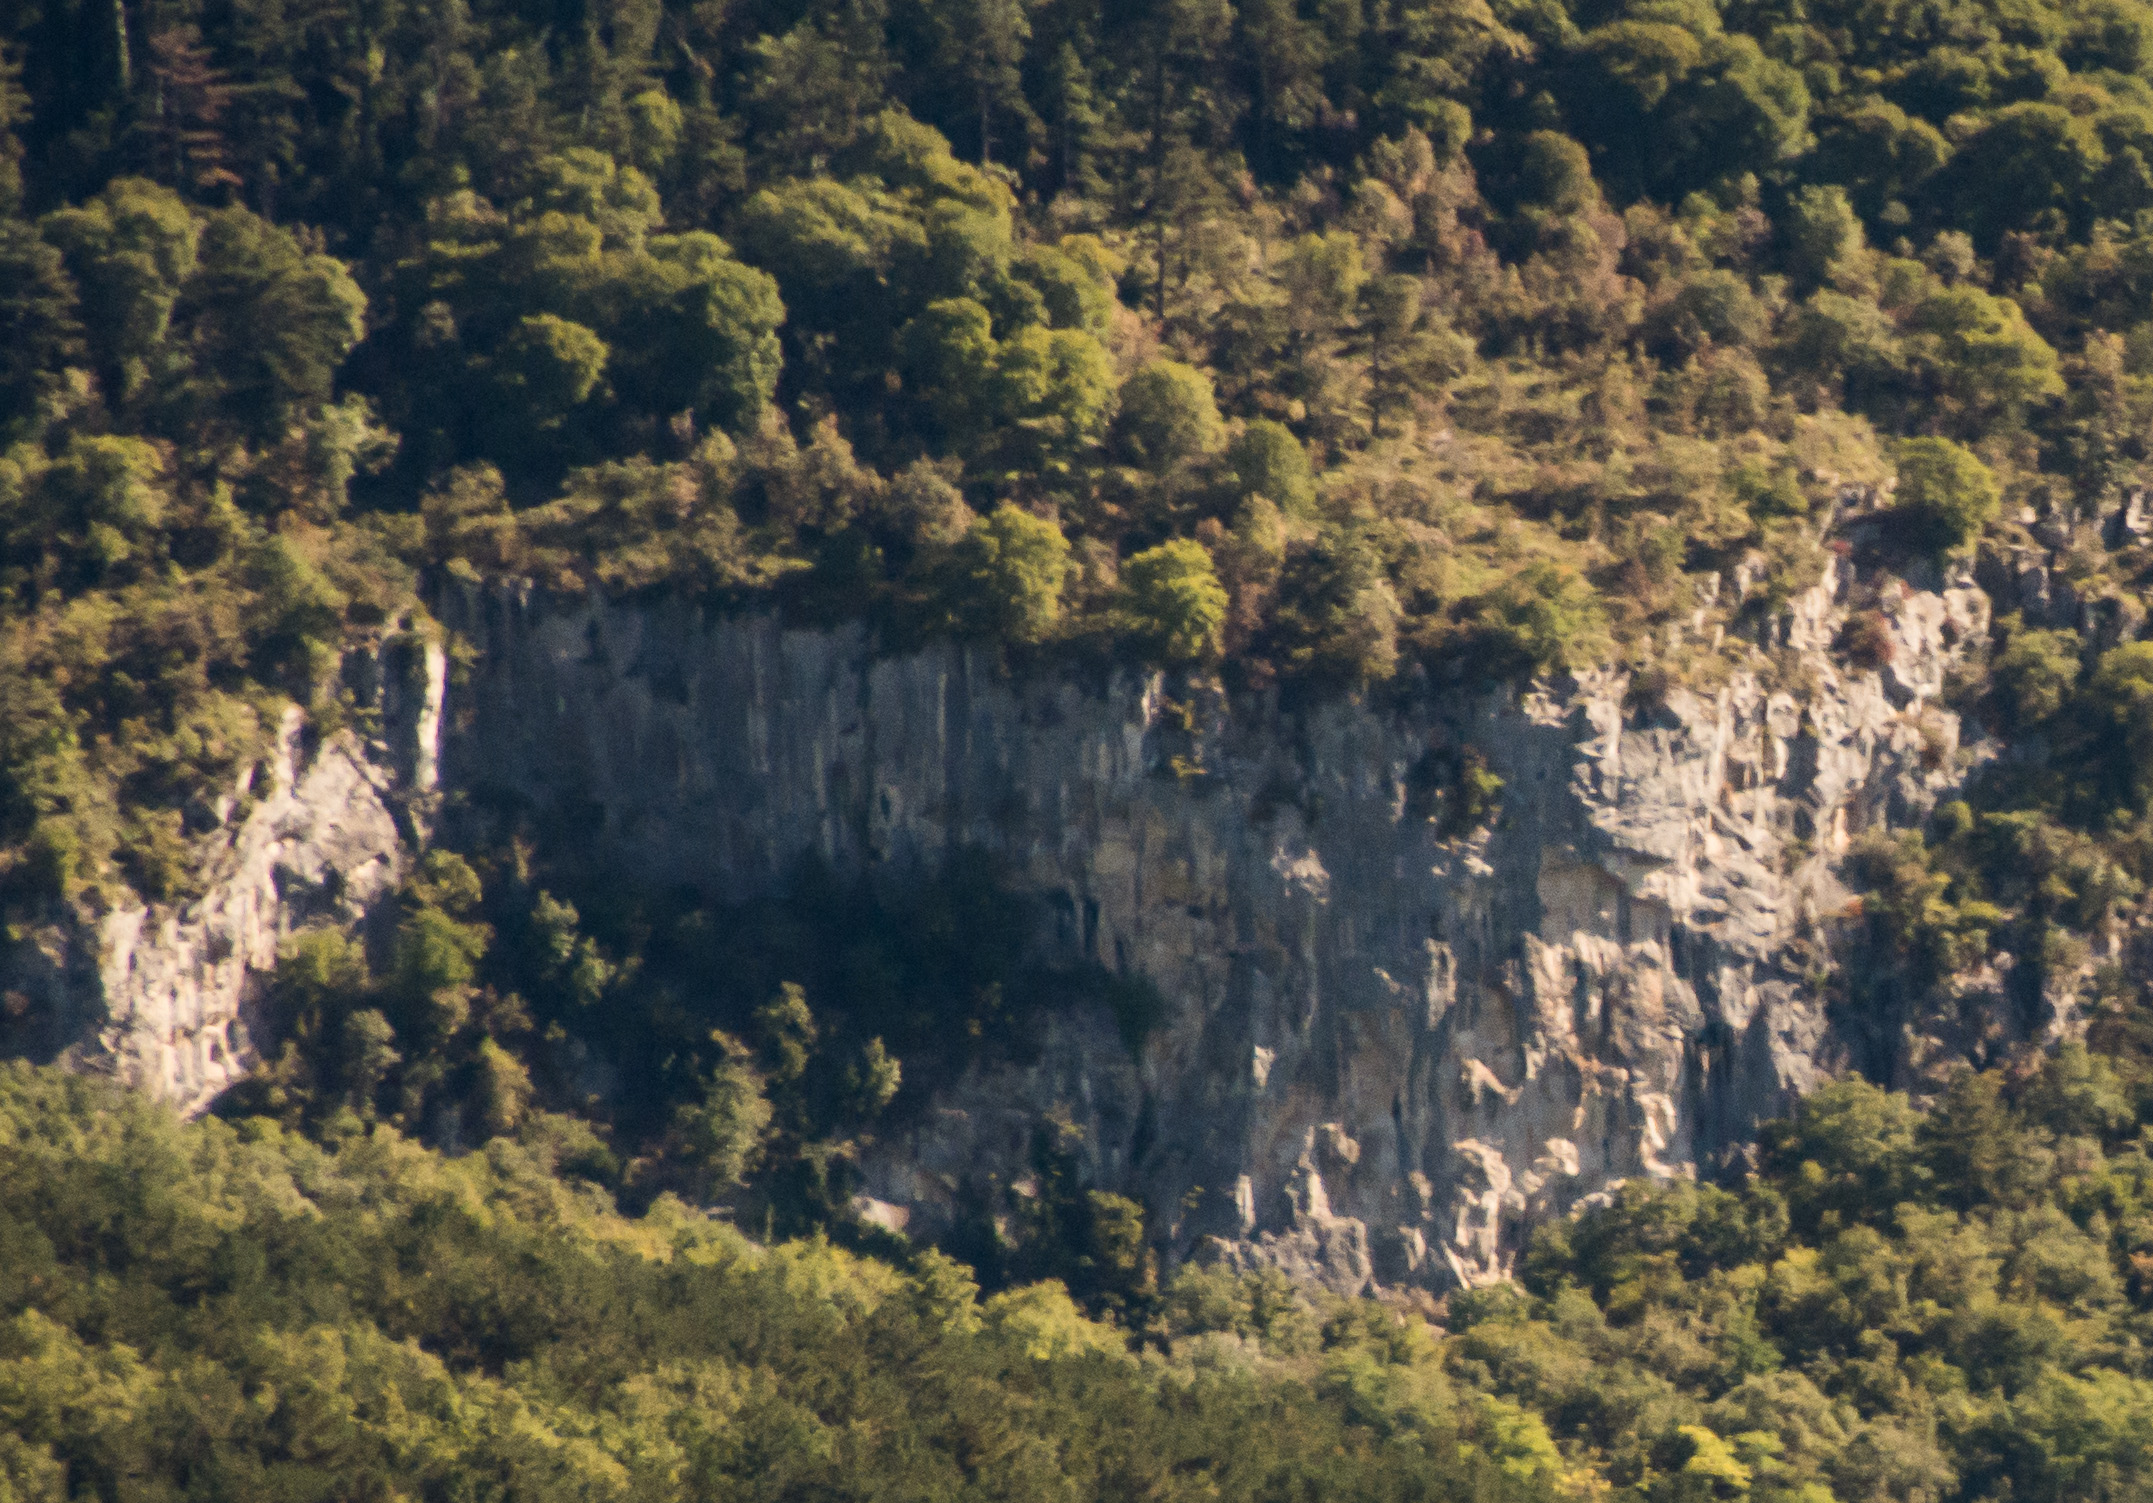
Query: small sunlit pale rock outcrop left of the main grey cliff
x: 313, y: 834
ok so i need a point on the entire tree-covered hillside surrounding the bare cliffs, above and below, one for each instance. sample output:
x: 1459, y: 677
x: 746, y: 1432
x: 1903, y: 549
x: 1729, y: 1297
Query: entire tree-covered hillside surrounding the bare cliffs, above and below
x: 1336, y: 348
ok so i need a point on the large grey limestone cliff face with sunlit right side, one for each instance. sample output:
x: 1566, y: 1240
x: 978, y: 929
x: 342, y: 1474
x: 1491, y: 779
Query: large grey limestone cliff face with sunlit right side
x: 1392, y: 1037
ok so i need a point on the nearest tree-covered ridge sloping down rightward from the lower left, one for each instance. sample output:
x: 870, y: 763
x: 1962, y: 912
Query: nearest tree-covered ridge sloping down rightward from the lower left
x: 240, y: 1315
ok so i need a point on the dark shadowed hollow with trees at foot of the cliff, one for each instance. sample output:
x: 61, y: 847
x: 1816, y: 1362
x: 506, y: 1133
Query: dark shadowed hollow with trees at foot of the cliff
x: 662, y: 1041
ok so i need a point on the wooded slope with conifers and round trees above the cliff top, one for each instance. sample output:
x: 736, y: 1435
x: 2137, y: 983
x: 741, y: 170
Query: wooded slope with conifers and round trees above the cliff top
x: 1334, y: 343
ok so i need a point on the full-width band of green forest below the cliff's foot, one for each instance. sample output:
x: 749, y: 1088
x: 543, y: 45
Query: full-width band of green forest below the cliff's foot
x: 1900, y: 1308
